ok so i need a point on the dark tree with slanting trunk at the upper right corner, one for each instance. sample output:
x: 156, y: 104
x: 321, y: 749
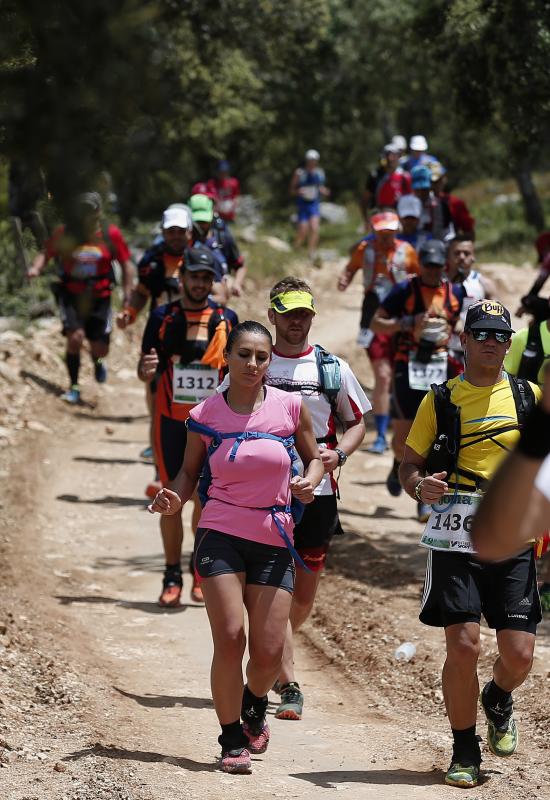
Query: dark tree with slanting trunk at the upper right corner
x: 496, y: 55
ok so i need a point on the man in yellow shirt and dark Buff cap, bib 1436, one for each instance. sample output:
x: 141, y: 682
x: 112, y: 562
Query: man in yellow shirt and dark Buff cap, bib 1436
x: 480, y: 413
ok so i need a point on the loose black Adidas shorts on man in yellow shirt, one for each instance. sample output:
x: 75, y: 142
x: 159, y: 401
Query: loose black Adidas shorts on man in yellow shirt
x: 459, y: 588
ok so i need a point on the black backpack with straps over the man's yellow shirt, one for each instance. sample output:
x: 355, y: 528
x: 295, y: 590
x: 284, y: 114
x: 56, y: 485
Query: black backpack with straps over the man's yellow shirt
x: 443, y: 456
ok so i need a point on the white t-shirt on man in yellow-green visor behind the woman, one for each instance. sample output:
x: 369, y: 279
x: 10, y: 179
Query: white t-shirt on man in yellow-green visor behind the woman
x: 300, y: 375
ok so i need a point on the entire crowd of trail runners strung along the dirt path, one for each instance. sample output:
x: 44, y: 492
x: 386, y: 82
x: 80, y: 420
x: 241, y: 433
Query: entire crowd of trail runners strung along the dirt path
x: 255, y: 432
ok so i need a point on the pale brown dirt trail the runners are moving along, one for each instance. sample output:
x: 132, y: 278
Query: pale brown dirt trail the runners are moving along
x: 114, y: 693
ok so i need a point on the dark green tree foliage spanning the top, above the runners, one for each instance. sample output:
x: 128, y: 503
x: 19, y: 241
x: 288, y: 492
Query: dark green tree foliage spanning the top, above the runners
x: 156, y: 90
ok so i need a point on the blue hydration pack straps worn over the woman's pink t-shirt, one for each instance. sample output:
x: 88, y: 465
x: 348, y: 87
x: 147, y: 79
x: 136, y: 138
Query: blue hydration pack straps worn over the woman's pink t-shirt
x: 295, y: 507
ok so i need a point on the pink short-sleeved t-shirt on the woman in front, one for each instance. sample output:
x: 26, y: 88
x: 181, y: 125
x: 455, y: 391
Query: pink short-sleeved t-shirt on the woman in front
x: 259, y: 476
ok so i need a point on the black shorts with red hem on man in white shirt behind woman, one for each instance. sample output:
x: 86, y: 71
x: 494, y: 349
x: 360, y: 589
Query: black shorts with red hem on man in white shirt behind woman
x: 313, y: 533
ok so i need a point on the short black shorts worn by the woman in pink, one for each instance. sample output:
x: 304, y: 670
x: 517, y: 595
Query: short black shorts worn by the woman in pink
x: 219, y: 553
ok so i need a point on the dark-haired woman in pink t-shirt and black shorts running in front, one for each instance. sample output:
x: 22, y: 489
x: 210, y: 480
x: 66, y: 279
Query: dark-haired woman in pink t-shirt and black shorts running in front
x: 244, y: 540
